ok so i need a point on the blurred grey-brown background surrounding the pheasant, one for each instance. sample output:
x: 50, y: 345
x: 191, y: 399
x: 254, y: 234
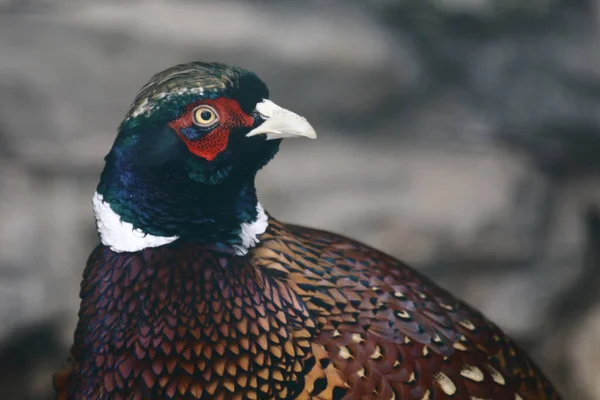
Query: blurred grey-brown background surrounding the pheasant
x: 462, y: 136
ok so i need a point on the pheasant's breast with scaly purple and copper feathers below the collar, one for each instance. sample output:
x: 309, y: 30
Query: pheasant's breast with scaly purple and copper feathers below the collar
x: 212, y: 327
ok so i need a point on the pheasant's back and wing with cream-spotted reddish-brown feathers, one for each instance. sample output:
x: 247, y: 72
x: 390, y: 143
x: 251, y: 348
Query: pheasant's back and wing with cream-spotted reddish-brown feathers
x: 388, y: 331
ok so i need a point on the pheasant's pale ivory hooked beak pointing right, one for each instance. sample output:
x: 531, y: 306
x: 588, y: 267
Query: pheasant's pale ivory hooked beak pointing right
x: 281, y: 123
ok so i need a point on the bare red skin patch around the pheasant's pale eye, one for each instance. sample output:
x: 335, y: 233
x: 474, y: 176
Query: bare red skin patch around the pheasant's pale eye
x: 215, y: 141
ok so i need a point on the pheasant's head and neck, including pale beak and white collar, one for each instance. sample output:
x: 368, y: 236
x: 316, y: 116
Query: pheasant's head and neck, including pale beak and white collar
x: 185, y: 158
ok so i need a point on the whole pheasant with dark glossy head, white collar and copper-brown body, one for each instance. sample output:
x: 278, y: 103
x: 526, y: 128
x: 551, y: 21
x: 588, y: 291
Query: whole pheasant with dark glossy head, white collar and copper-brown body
x: 195, y: 292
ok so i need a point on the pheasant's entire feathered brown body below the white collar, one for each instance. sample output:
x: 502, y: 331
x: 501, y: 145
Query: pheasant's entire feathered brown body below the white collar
x: 305, y: 315
